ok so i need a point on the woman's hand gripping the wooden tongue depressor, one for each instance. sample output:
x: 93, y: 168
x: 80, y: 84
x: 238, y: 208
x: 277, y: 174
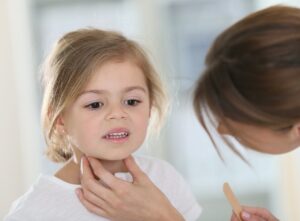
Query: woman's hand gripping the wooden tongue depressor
x: 255, y: 214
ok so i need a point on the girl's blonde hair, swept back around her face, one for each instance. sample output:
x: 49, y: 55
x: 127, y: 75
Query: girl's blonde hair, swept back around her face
x: 71, y: 65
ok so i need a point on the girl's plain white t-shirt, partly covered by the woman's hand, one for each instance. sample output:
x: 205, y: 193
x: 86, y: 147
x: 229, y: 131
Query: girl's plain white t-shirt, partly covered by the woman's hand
x: 52, y: 199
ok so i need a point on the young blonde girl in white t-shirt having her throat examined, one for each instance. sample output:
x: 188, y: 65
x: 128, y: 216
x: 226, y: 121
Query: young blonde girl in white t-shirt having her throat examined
x: 100, y: 92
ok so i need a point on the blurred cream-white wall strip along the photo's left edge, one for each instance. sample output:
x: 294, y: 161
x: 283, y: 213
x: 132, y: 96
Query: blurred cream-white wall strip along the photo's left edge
x: 18, y: 119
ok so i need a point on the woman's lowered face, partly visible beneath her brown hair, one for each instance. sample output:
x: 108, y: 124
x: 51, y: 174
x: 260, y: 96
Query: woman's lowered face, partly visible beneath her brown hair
x: 263, y: 139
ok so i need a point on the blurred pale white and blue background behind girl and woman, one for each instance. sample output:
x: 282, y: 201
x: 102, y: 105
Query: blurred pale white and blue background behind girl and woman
x: 177, y: 35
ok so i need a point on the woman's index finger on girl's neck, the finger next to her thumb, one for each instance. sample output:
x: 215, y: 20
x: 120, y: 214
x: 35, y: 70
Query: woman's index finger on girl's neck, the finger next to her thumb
x: 106, y: 177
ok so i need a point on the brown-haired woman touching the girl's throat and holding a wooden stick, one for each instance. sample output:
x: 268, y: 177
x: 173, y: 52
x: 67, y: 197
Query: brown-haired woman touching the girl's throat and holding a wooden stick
x: 250, y: 88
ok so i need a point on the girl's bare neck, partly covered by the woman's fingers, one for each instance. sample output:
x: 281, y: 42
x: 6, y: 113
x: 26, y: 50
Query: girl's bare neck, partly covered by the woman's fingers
x: 70, y: 172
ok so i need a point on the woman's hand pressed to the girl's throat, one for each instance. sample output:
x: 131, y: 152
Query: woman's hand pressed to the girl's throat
x: 118, y: 200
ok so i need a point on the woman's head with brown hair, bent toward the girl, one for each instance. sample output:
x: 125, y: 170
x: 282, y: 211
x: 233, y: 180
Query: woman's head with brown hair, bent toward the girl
x: 252, y: 77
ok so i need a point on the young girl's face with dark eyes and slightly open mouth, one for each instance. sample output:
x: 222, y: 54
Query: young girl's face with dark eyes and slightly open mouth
x: 109, y: 119
